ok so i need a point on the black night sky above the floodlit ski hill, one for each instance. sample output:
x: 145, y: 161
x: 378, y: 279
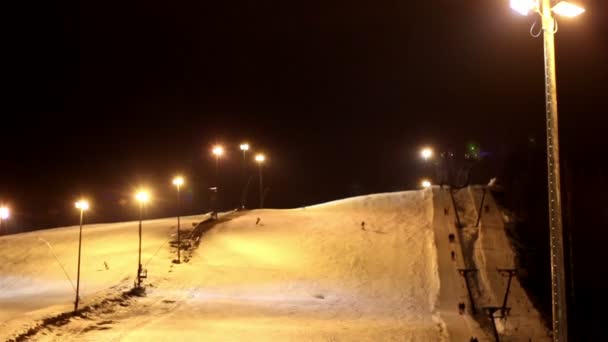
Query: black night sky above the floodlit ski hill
x: 101, y: 97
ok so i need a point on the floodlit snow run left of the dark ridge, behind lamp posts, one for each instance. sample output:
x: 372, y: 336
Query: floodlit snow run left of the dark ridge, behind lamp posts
x: 35, y: 266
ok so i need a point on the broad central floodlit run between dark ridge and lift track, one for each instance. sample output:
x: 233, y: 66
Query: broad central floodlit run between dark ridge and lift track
x: 305, y: 274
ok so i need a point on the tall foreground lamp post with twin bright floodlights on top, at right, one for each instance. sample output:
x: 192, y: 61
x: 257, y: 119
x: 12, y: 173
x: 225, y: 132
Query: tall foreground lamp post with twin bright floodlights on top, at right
x: 549, y: 26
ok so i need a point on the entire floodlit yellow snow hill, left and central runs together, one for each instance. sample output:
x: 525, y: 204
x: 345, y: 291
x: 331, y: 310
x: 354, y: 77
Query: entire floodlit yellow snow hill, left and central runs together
x: 370, y: 268
